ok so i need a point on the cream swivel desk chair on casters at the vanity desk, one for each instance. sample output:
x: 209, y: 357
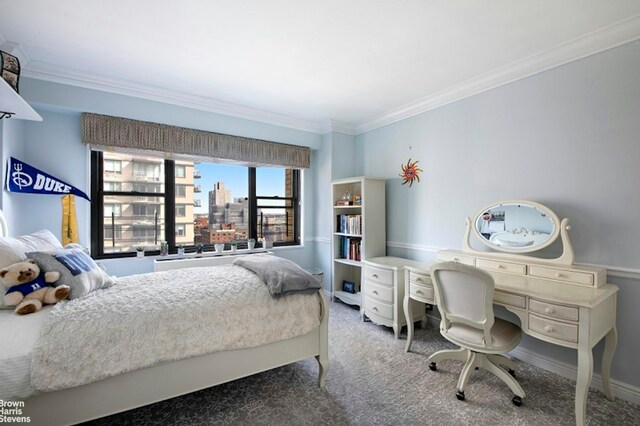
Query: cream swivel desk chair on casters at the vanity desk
x: 464, y: 295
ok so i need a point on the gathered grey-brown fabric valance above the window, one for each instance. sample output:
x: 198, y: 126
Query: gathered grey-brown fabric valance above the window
x: 104, y: 132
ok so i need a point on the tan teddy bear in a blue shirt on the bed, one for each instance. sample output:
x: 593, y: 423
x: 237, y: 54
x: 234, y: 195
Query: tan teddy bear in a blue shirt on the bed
x: 28, y: 288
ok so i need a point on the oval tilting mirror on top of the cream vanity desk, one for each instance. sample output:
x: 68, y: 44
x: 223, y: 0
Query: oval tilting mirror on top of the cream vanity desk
x: 517, y: 226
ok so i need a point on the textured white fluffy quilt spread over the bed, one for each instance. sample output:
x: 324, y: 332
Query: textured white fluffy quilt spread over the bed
x: 148, y: 319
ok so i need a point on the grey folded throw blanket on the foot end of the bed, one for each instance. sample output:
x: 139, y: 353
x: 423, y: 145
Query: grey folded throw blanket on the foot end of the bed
x: 282, y: 276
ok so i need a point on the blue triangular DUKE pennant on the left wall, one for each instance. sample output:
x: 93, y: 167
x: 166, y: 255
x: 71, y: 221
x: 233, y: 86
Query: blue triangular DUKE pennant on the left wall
x: 22, y: 177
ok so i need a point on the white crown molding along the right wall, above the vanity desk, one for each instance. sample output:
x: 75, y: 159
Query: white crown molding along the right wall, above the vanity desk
x: 605, y: 38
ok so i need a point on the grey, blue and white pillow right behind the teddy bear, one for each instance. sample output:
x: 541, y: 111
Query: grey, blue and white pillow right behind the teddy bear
x: 77, y: 270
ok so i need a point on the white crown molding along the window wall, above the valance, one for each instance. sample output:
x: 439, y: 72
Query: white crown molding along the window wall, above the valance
x: 48, y: 72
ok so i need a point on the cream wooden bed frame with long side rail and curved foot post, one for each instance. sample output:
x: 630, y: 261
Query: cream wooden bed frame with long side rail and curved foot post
x: 148, y: 385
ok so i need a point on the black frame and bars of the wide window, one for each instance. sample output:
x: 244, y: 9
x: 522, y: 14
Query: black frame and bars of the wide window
x: 97, y: 208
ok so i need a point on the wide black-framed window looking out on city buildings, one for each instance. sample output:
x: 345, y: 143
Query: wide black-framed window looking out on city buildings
x: 232, y: 203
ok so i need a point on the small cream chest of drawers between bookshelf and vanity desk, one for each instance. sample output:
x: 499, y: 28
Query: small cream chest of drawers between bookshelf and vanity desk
x: 383, y: 288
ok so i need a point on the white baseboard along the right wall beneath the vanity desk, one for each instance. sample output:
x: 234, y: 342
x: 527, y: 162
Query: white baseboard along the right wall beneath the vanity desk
x: 619, y: 389
